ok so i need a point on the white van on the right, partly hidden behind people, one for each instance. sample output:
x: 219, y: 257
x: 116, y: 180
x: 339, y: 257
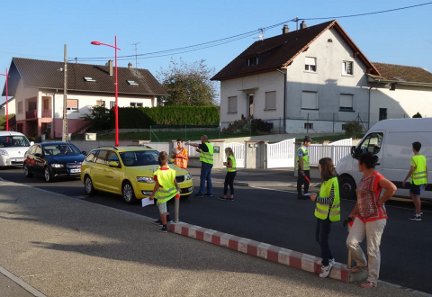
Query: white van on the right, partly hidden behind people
x: 391, y: 141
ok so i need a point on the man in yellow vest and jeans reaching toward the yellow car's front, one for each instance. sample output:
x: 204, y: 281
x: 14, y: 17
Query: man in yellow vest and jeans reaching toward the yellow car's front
x: 206, y: 158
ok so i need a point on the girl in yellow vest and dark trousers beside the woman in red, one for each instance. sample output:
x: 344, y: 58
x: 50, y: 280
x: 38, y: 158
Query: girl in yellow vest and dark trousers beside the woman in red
x: 327, y: 211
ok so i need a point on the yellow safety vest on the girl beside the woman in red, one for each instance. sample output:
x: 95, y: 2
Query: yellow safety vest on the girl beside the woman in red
x: 323, y: 211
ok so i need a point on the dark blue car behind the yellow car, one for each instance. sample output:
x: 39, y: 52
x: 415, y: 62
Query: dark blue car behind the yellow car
x: 53, y: 159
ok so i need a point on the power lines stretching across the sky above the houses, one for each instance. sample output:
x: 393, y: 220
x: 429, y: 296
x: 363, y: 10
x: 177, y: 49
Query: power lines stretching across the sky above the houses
x: 225, y: 40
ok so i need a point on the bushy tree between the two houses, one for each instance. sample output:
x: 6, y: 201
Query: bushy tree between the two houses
x: 188, y: 84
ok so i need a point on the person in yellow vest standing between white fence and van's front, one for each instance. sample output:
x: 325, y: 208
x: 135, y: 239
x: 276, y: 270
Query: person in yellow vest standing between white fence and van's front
x: 303, y: 166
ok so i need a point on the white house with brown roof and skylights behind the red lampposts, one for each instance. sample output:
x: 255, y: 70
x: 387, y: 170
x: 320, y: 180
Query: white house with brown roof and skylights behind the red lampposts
x: 37, y: 87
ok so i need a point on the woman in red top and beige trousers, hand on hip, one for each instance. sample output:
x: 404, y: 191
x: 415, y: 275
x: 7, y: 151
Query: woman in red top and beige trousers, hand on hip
x: 370, y: 217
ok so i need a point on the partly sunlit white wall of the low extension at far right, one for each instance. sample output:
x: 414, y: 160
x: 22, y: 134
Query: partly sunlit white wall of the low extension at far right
x: 400, y: 102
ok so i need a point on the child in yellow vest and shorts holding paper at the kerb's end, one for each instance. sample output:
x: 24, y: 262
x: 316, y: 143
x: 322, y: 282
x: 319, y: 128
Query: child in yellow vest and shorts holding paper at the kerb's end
x: 166, y: 187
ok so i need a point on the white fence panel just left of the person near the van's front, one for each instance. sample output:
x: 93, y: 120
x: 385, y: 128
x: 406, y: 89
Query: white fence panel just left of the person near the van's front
x: 281, y: 154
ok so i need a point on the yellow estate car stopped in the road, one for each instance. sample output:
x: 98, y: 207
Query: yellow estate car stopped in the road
x: 127, y: 171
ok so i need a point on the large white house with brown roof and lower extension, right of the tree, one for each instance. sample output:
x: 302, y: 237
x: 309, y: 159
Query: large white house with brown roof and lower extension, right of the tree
x: 315, y: 80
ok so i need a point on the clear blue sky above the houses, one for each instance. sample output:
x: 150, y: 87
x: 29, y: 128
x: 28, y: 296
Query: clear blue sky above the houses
x: 39, y: 29
